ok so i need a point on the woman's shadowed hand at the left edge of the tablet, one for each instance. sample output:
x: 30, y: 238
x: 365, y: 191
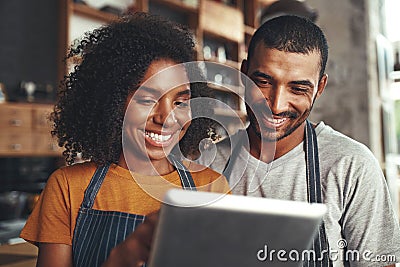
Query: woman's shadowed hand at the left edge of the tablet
x: 135, y: 249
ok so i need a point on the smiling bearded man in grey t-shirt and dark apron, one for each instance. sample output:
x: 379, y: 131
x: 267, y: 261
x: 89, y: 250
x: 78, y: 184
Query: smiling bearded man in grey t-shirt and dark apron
x: 286, y: 61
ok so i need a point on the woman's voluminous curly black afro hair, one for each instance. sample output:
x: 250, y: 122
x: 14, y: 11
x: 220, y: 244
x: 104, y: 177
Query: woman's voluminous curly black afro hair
x: 89, y: 114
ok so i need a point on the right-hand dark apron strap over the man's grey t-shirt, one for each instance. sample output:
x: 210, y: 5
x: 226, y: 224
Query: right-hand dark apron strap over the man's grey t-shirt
x: 320, y: 243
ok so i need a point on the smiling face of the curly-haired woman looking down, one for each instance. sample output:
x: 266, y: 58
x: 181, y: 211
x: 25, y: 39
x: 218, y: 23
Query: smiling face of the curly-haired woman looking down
x: 158, y: 113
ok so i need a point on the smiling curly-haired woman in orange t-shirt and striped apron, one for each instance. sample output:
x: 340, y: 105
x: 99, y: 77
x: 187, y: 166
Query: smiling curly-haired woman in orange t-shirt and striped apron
x: 124, y: 121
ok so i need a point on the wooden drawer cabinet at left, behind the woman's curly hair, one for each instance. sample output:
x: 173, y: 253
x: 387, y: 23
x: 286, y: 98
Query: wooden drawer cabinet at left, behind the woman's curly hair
x: 25, y: 130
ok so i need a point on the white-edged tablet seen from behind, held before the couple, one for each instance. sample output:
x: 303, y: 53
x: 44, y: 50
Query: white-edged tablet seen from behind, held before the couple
x: 200, y: 229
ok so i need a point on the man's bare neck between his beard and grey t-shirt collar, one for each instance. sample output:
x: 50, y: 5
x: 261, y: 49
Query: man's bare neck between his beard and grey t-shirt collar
x: 263, y: 150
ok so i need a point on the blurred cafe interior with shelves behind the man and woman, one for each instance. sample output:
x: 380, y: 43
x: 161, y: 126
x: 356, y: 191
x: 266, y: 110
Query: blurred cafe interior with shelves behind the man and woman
x: 362, y: 99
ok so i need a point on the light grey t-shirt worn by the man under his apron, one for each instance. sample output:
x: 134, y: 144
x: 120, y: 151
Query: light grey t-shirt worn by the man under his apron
x: 360, y: 219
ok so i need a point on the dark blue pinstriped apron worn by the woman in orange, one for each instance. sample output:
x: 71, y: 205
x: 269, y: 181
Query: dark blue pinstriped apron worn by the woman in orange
x: 97, y: 232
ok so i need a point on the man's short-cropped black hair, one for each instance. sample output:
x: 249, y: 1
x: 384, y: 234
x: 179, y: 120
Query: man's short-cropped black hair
x: 291, y: 33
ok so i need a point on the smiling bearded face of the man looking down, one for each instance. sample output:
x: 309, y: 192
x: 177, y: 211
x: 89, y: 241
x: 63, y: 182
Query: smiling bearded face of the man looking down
x: 289, y: 84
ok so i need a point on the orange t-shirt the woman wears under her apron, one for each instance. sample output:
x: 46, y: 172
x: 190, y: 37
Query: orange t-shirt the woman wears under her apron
x: 54, y: 216
